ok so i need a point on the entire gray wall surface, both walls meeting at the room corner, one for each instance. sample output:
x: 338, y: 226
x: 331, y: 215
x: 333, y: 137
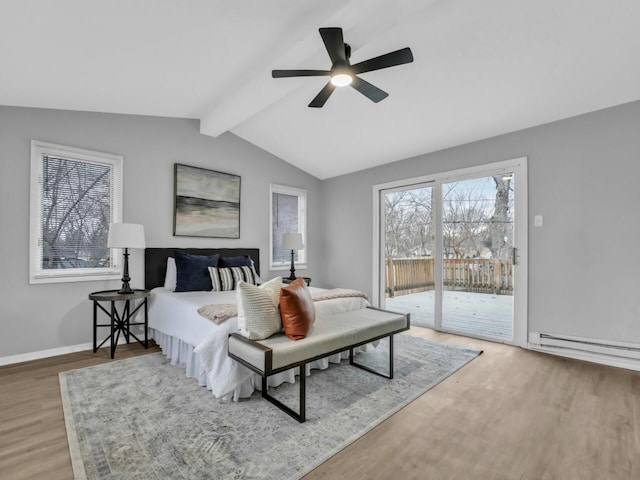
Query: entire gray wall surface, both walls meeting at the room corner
x: 583, y: 174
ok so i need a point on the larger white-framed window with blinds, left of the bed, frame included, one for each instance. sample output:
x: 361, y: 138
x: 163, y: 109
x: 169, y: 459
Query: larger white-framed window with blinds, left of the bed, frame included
x: 75, y: 194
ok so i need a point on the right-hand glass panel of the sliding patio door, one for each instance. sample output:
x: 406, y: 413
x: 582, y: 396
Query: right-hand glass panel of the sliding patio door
x: 477, y: 256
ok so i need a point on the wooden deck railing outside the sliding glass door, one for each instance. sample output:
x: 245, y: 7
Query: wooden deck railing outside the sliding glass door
x: 413, y: 275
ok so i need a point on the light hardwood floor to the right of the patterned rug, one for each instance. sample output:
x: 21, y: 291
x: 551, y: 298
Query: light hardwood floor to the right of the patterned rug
x: 509, y: 414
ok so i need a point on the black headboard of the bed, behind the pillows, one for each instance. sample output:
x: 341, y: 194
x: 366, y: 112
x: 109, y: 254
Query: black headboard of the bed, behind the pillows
x: 155, y: 260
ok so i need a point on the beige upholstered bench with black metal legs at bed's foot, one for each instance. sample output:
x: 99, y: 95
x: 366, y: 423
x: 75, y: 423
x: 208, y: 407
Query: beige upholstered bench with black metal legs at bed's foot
x: 331, y: 334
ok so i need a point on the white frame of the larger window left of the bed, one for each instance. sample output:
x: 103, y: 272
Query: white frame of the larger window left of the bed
x: 36, y: 273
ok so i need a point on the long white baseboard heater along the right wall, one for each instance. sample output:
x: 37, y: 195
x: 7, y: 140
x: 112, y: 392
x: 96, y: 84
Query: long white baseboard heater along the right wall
x: 602, y: 351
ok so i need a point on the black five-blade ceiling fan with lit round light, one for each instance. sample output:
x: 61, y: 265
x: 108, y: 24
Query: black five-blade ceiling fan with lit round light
x: 342, y: 73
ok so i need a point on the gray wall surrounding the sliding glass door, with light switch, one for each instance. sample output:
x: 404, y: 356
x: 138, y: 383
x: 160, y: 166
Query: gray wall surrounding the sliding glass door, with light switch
x: 583, y: 174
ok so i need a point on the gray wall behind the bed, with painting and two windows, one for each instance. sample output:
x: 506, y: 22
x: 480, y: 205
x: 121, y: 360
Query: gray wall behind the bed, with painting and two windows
x: 46, y: 316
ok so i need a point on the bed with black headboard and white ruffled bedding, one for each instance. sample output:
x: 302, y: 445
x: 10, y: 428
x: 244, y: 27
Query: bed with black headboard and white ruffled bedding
x: 199, y: 345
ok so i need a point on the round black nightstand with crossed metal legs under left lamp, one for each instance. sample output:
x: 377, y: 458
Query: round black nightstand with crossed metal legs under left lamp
x: 119, y: 322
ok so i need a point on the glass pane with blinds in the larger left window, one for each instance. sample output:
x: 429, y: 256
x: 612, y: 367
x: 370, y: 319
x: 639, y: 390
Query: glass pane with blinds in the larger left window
x: 76, y: 212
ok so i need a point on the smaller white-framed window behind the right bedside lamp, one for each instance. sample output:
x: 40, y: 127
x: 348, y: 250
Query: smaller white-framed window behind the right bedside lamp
x: 288, y: 215
